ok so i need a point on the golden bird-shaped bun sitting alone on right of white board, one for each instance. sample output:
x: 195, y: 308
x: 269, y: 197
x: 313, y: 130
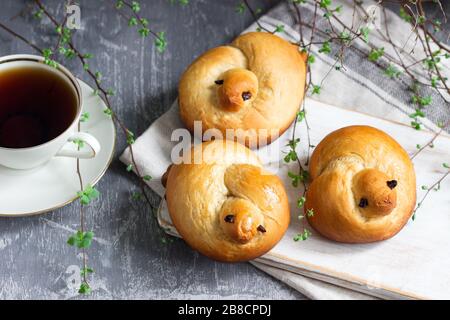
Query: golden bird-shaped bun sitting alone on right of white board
x: 363, y: 186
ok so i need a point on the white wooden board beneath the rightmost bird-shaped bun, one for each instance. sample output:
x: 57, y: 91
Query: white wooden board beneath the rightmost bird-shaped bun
x: 413, y: 264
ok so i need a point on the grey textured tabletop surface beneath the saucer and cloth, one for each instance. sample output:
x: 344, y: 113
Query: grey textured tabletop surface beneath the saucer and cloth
x: 132, y: 262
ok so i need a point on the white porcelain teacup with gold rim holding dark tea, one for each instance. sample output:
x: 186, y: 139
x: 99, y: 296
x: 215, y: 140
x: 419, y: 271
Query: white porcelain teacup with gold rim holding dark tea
x: 62, y: 145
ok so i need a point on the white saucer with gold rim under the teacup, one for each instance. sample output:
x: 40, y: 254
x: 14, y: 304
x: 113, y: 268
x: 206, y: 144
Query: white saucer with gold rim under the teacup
x: 56, y: 183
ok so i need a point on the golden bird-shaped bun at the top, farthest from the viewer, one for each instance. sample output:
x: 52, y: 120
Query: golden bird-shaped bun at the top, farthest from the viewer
x: 255, y: 84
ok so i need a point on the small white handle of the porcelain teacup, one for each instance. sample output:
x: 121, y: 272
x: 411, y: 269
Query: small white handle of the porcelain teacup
x: 90, y: 142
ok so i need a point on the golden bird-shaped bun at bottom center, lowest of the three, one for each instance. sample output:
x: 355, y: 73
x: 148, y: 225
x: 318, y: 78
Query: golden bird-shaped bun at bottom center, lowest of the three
x: 226, y: 206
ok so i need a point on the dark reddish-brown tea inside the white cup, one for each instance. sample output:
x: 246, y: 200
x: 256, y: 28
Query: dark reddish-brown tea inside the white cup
x: 36, y: 106
